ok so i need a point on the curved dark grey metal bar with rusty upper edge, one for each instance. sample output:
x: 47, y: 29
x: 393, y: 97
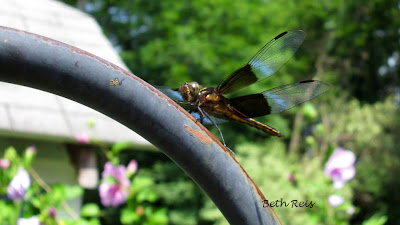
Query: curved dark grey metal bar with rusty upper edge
x: 39, y: 62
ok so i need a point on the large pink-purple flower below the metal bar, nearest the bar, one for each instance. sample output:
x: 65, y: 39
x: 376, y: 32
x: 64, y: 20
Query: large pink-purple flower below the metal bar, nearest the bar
x: 115, y: 185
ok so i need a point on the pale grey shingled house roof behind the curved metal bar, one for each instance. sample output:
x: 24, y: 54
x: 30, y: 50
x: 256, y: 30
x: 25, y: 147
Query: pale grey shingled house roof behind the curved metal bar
x: 30, y: 112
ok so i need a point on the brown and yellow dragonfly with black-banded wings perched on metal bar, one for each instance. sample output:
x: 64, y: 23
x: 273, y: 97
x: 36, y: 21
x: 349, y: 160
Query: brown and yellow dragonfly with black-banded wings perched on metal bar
x: 208, y: 104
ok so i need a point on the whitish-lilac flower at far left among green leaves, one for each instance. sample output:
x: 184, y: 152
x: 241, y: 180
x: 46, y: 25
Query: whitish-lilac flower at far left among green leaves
x: 18, y: 185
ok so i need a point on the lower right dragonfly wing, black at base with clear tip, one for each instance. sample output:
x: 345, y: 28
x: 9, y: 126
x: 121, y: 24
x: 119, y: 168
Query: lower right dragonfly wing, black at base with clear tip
x: 279, y: 99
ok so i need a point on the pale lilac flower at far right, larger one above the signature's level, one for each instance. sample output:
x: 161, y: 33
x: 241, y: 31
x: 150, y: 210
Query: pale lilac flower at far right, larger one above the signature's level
x: 340, y: 167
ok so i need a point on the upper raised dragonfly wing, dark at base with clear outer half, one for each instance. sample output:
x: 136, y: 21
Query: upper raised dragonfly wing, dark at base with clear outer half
x: 266, y: 62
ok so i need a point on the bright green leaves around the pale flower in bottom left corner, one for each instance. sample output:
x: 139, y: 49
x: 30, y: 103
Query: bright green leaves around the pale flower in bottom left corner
x: 39, y: 197
